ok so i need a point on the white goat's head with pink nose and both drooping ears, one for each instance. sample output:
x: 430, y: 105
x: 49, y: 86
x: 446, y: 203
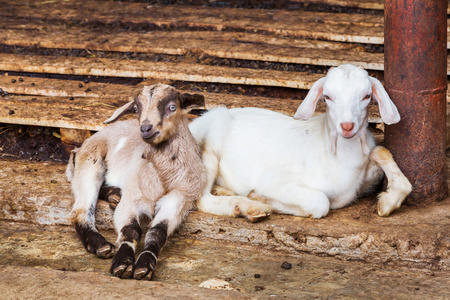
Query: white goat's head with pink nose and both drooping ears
x: 347, y: 91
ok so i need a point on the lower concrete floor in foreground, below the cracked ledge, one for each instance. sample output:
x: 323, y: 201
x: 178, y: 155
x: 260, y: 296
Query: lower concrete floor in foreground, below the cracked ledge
x: 38, y: 261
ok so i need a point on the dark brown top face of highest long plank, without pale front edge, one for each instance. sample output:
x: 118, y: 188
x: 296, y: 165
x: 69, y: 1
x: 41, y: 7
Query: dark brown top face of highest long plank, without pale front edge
x: 109, y: 11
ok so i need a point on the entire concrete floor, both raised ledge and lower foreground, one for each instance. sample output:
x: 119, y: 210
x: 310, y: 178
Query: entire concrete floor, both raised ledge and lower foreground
x: 350, y: 254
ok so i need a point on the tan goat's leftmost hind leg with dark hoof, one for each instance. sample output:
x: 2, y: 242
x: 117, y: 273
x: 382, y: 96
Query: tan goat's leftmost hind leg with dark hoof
x: 87, y: 179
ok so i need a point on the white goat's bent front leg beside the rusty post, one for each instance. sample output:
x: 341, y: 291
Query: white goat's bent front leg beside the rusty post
x: 398, y: 185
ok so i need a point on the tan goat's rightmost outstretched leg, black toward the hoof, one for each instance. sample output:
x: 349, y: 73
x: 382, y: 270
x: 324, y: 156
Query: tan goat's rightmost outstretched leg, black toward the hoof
x: 170, y: 211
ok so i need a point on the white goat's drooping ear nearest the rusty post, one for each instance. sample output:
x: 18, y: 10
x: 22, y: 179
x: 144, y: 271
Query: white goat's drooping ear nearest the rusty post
x: 388, y: 110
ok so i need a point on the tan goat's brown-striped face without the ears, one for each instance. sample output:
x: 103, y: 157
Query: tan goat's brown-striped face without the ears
x: 159, y: 112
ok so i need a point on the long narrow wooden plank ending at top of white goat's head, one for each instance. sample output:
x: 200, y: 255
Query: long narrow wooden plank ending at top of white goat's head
x: 158, y: 70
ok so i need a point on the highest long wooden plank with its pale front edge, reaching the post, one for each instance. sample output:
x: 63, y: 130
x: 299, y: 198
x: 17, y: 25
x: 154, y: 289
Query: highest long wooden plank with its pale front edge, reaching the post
x: 336, y: 27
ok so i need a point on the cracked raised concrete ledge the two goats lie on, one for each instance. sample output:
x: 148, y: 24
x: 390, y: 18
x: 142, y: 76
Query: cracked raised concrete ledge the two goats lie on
x: 413, y: 236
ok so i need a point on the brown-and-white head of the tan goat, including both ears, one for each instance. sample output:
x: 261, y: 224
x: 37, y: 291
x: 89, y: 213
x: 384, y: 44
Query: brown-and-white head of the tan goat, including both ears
x: 160, y: 108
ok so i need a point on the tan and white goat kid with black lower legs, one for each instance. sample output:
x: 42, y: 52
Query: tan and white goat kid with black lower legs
x: 156, y: 164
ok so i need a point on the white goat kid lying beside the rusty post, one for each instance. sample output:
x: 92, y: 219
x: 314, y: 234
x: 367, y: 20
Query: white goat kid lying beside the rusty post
x: 297, y: 167
